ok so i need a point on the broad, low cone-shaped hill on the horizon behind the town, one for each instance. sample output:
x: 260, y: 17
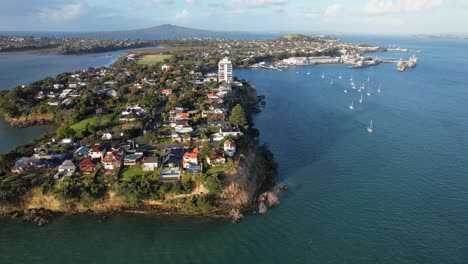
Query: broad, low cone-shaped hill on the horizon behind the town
x: 168, y: 29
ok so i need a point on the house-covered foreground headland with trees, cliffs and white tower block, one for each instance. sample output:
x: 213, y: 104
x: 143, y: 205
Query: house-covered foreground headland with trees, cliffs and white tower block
x: 166, y: 137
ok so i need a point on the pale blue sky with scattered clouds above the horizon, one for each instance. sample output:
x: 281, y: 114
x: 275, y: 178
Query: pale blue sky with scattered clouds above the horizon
x: 275, y: 16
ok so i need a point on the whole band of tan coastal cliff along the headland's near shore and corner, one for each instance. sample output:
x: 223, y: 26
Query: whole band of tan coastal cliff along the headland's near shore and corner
x: 254, y: 173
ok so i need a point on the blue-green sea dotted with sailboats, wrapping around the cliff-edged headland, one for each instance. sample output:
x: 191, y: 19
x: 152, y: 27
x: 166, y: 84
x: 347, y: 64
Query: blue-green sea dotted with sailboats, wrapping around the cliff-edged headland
x: 398, y: 195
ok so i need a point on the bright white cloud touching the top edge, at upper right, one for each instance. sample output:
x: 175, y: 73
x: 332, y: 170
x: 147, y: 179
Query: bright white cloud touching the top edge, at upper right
x: 381, y: 7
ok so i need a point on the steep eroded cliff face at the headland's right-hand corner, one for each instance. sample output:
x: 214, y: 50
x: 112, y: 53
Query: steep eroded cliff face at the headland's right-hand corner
x: 254, y: 174
